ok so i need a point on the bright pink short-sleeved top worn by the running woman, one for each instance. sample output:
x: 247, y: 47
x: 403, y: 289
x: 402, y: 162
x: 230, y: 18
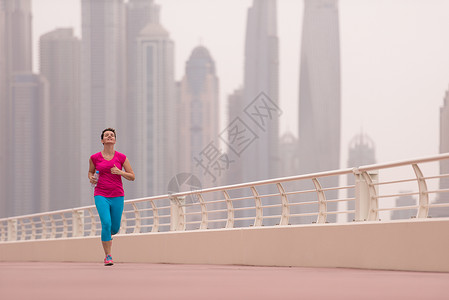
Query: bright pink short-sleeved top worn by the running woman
x: 108, y: 185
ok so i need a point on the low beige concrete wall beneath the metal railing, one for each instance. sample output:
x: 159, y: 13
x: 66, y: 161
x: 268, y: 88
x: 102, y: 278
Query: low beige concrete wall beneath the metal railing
x: 417, y: 245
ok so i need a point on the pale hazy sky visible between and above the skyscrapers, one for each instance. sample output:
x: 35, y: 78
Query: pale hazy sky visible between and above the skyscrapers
x: 394, y: 61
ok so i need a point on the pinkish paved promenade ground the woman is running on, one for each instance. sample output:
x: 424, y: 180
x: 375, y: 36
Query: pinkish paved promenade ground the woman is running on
x: 67, y: 281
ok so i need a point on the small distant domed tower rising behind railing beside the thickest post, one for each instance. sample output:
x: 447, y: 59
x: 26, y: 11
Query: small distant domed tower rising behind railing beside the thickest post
x: 361, y: 153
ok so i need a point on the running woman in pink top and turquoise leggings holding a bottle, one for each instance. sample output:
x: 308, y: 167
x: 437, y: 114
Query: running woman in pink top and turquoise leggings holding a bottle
x: 109, y: 194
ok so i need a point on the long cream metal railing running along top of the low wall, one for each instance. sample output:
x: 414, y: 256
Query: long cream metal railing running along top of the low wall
x: 310, y: 198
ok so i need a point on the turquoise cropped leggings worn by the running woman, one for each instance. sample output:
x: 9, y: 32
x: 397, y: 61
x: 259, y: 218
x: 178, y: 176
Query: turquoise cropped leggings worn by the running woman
x: 110, y: 211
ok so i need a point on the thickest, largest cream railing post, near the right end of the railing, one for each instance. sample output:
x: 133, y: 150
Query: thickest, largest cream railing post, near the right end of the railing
x: 365, y: 195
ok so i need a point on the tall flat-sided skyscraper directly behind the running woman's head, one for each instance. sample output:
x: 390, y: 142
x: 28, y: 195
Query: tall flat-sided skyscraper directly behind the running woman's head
x: 103, y: 76
